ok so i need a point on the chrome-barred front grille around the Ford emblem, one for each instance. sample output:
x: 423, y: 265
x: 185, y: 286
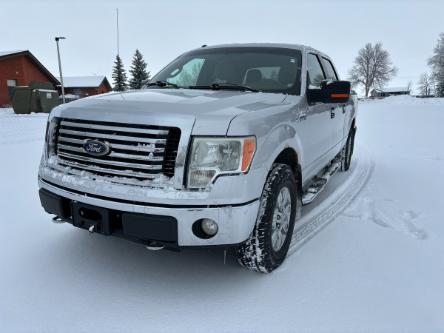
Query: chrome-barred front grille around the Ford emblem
x: 141, y: 152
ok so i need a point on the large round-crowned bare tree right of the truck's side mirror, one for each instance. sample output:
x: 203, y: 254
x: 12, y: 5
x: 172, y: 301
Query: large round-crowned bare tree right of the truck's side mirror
x: 372, y: 67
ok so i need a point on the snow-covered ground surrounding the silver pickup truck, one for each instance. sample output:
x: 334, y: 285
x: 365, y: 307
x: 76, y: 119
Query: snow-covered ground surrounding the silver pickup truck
x: 367, y: 255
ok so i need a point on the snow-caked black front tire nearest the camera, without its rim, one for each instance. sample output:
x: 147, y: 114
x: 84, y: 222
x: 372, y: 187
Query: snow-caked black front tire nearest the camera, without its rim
x: 257, y: 252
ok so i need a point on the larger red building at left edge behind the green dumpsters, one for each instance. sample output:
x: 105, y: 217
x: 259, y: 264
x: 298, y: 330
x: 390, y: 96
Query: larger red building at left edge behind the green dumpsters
x: 18, y: 68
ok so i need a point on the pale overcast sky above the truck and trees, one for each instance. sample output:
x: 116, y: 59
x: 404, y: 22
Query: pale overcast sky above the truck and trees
x: 162, y: 30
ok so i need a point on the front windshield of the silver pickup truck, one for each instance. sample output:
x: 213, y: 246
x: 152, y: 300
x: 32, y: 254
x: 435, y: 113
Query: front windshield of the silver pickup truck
x: 275, y: 70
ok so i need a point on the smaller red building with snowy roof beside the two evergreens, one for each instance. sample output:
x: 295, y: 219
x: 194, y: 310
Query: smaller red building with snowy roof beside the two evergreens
x: 83, y: 86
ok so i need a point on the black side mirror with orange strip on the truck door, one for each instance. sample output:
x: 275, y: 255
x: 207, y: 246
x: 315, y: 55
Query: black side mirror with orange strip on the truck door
x: 330, y: 92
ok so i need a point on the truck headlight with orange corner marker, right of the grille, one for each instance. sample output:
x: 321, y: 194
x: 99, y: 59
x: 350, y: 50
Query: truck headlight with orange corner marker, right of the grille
x: 211, y: 157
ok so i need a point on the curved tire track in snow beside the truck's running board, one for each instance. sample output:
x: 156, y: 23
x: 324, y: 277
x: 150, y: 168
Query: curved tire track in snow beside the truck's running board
x: 313, y: 222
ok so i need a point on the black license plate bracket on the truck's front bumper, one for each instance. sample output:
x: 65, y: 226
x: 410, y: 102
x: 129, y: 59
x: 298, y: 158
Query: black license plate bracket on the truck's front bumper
x: 85, y: 216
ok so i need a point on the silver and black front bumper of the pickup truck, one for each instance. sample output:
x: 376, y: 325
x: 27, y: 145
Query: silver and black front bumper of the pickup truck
x: 235, y: 221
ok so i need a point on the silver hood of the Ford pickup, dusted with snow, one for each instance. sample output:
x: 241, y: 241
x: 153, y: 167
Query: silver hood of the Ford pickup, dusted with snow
x: 205, y: 112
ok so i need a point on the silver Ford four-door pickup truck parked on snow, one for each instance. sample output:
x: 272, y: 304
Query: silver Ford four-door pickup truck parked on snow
x: 223, y: 148
